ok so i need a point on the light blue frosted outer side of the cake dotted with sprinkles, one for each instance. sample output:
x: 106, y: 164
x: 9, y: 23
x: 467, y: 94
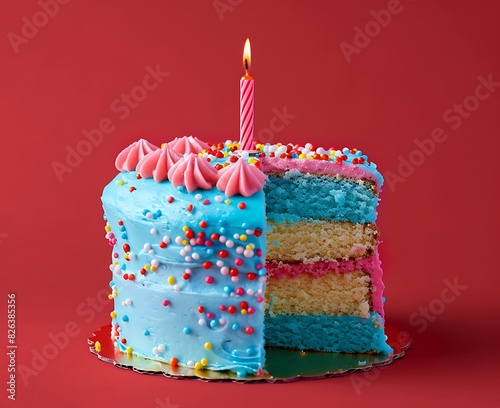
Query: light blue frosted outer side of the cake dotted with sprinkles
x: 156, y: 307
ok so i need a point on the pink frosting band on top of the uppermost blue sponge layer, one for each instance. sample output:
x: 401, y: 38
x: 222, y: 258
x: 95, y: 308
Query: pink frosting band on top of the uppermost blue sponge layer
x: 276, y: 165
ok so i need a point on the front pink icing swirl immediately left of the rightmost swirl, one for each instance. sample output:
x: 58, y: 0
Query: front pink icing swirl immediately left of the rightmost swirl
x: 193, y: 172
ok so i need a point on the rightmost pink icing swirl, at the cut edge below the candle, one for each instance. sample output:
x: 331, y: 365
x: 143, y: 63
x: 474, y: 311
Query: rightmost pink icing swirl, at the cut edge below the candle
x: 241, y: 178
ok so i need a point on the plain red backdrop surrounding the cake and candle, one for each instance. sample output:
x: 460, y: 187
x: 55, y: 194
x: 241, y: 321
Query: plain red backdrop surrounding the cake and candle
x: 439, y: 224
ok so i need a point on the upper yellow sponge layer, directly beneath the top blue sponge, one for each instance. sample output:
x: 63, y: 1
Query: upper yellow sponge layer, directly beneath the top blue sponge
x: 309, y: 242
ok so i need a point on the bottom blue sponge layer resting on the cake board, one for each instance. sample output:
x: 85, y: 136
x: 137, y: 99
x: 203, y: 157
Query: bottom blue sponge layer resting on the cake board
x: 346, y: 333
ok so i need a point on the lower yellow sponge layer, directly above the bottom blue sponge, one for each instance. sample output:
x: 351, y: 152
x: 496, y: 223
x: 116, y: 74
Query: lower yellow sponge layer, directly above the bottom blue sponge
x: 330, y: 294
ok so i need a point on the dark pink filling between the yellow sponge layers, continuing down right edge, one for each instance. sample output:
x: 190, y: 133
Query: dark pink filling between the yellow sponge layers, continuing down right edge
x: 370, y: 265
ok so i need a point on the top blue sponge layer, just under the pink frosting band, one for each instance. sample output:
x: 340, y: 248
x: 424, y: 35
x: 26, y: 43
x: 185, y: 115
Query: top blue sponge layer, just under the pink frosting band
x: 295, y: 196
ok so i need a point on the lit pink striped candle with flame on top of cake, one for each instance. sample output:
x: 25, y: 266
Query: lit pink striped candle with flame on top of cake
x: 246, y: 102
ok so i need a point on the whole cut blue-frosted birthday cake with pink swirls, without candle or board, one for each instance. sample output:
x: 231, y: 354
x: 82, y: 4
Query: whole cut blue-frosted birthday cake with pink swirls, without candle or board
x: 219, y: 253
